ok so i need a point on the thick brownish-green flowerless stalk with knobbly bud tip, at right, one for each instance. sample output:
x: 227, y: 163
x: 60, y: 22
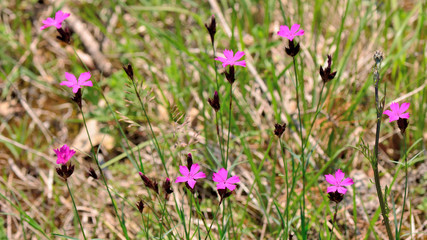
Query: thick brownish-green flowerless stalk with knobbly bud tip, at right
x: 374, y: 161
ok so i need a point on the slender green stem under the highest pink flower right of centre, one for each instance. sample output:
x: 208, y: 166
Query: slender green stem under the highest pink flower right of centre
x: 303, y: 227
